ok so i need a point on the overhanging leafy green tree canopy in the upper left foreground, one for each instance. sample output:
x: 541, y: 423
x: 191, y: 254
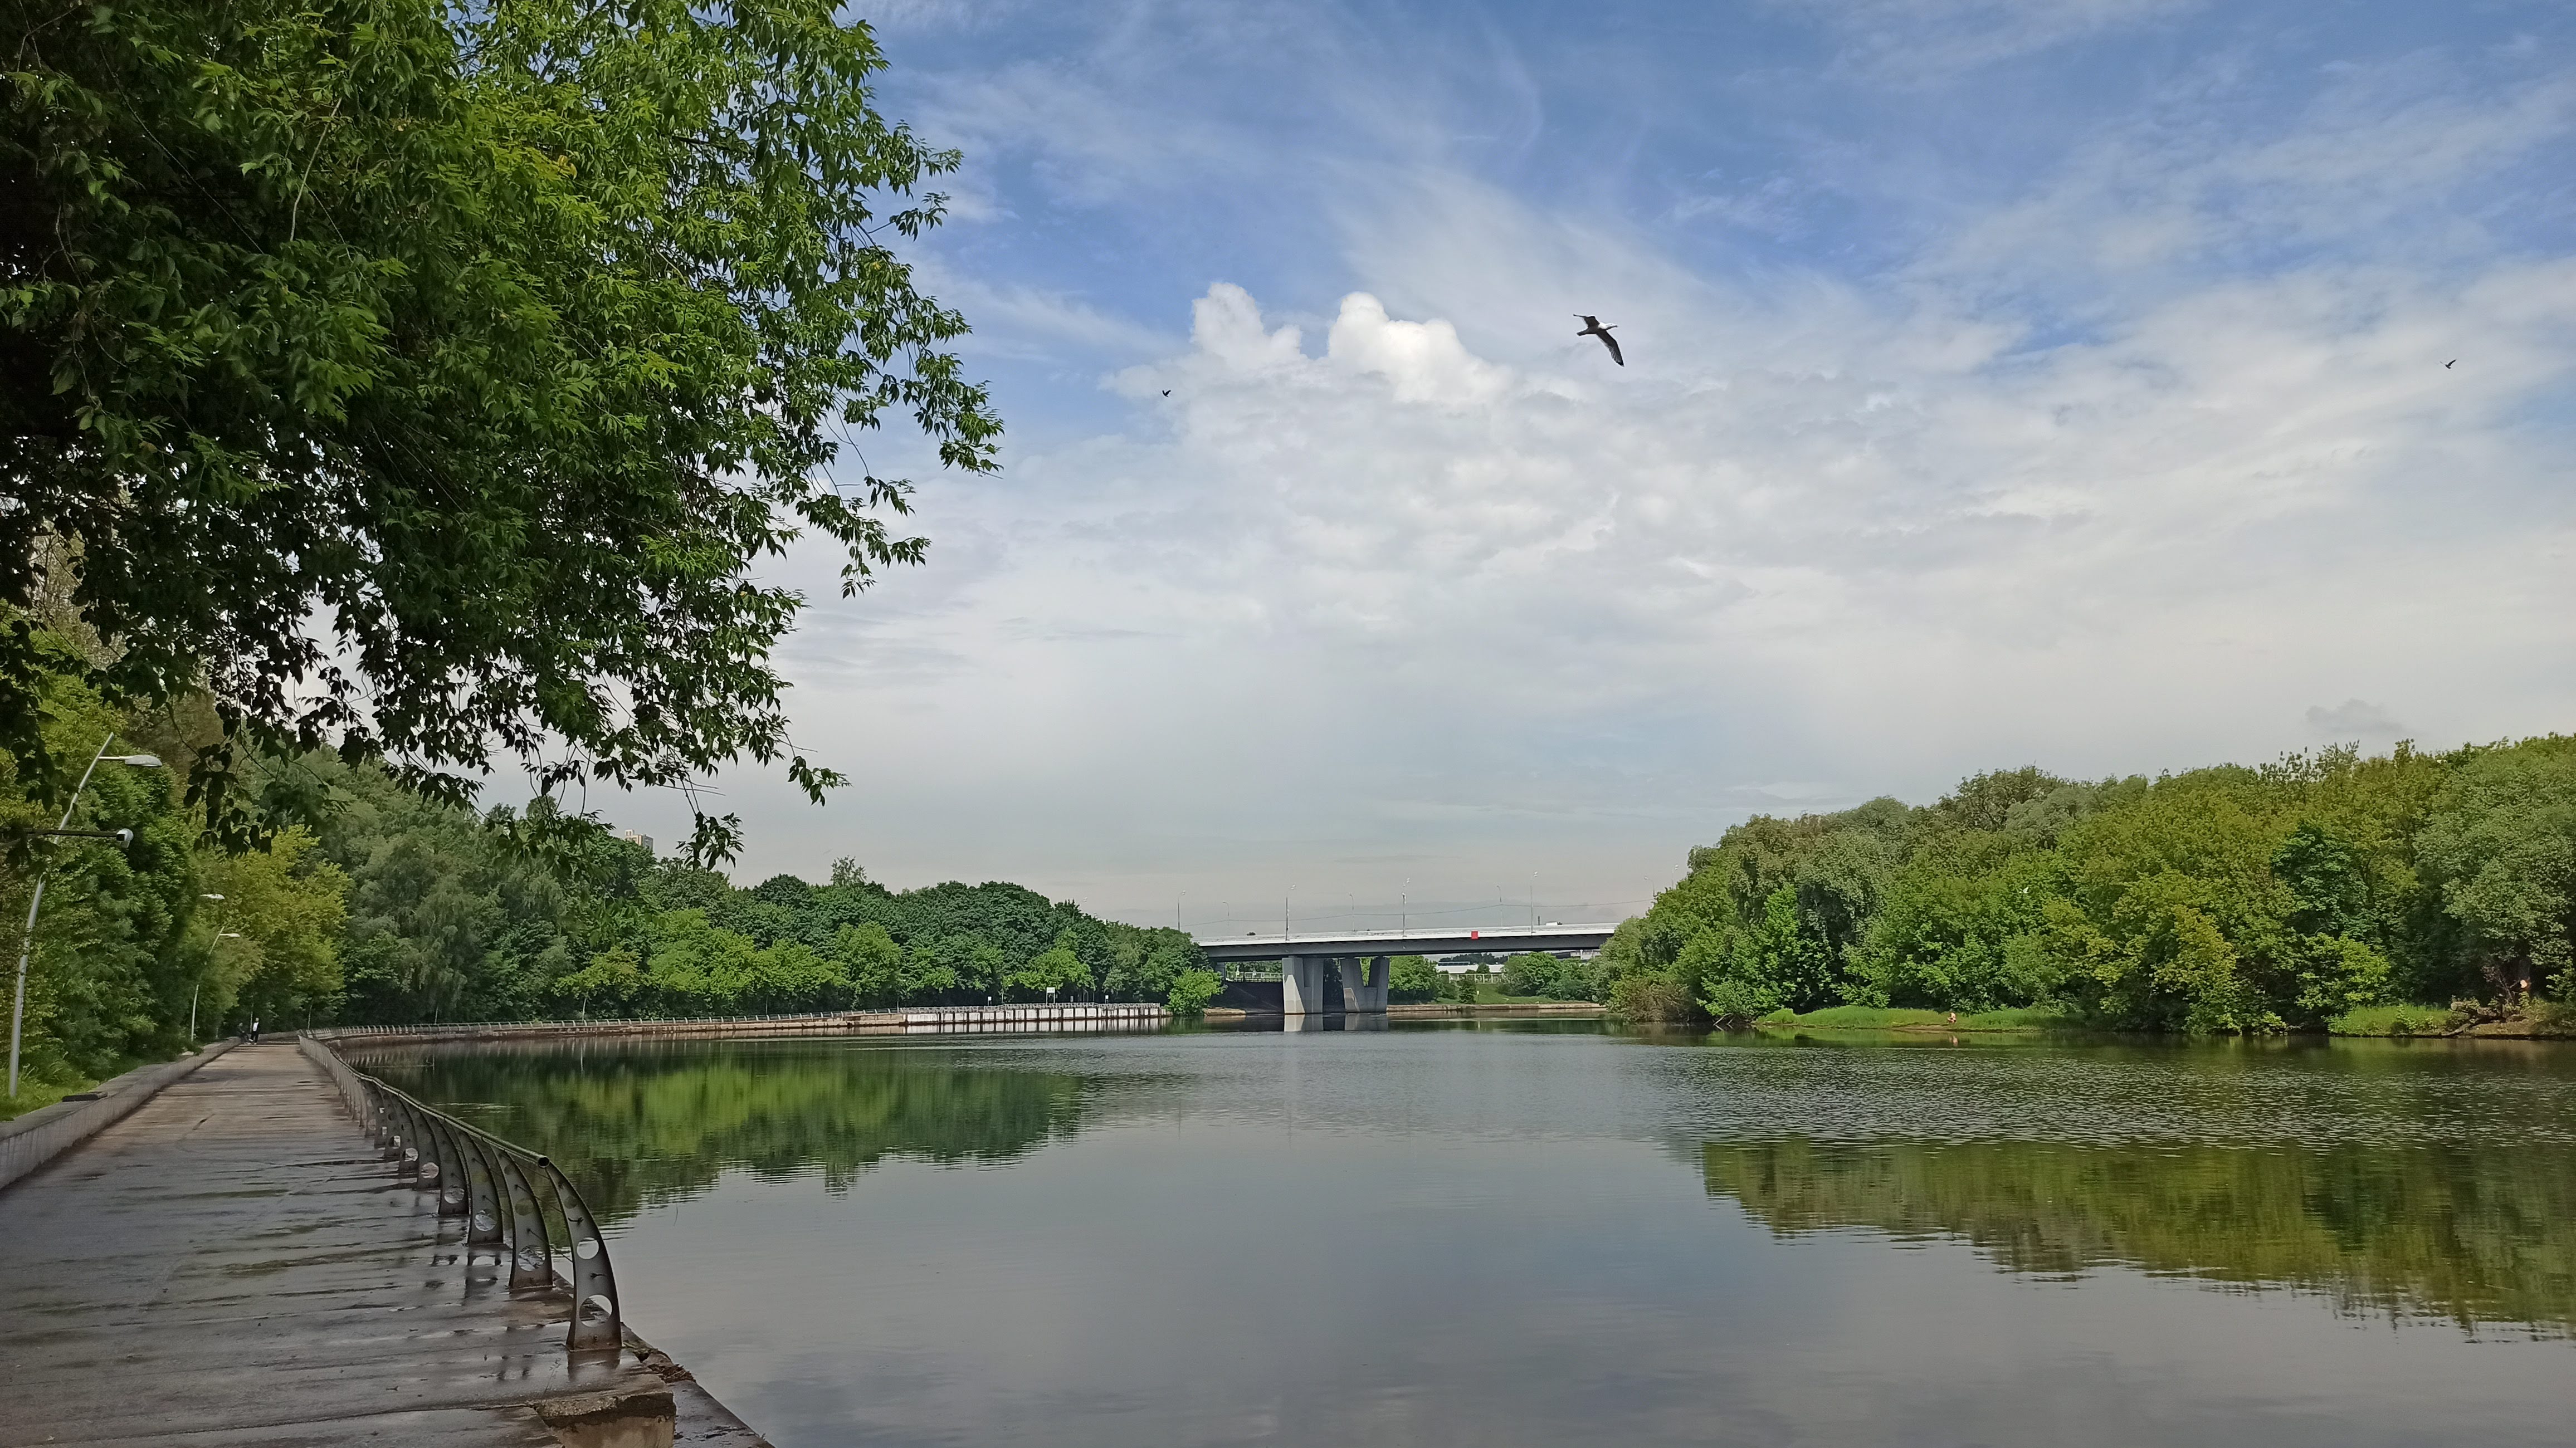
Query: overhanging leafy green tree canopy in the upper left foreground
x: 429, y: 380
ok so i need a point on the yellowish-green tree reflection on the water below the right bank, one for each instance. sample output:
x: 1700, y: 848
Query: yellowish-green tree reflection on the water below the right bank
x: 2472, y: 1235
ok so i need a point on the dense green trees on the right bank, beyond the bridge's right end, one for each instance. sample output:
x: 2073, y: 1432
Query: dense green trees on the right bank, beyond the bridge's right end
x: 2214, y: 900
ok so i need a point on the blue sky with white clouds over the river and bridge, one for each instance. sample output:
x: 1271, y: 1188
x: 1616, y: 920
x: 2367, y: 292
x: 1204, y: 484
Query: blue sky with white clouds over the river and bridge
x: 2008, y: 383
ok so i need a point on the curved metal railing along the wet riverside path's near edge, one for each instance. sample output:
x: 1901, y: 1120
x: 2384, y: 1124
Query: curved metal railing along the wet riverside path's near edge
x: 496, y: 1189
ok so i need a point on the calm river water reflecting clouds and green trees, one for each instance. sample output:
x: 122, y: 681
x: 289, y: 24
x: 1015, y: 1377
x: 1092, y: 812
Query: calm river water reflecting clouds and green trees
x: 1537, y: 1235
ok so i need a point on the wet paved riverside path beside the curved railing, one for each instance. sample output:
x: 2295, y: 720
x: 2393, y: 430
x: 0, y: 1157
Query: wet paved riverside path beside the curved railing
x: 236, y: 1264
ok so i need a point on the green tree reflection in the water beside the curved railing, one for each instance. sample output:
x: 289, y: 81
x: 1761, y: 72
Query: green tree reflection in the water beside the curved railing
x: 640, y: 1125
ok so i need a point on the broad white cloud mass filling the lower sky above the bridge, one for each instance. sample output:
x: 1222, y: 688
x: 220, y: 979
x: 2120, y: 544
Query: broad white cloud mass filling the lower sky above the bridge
x: 1405, y: 596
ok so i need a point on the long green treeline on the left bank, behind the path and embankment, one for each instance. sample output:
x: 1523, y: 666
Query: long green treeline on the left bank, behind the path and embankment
x: 403, y: 911
